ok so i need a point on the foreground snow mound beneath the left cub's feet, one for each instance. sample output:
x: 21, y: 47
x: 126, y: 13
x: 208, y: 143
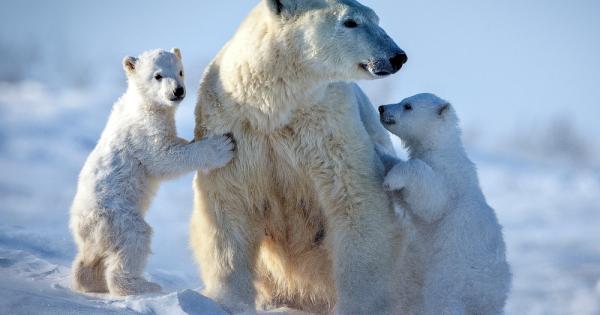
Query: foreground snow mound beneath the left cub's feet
x: 32, y: 285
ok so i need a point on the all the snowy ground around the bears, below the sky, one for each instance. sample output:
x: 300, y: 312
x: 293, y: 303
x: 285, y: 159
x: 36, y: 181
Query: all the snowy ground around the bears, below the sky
x: 550, y: 211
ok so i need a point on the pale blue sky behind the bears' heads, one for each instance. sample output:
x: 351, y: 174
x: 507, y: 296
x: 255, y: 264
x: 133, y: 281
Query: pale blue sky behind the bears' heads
x: 504, y: 64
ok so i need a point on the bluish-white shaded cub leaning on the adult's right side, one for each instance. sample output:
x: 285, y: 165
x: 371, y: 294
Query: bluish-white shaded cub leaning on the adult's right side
x: 459, y: 240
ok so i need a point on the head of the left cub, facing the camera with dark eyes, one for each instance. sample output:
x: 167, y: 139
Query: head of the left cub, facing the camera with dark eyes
x: 157, y: 76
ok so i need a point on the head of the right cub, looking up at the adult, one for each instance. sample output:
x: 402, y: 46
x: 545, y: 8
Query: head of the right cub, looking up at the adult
x: 423, y: 119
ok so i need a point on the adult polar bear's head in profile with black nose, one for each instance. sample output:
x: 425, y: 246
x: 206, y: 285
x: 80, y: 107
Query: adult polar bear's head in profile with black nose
x: 341, y: 39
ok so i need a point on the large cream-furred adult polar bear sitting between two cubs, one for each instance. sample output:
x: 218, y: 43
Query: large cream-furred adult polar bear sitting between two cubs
x: 299, y: 217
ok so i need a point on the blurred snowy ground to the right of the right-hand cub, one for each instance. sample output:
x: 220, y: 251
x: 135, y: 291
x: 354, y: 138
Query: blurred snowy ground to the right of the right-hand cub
x: 550, y: 219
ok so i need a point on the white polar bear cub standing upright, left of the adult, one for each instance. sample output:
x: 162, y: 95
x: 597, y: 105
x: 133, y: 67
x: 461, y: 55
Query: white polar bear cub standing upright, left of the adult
x: 138, y: 148
